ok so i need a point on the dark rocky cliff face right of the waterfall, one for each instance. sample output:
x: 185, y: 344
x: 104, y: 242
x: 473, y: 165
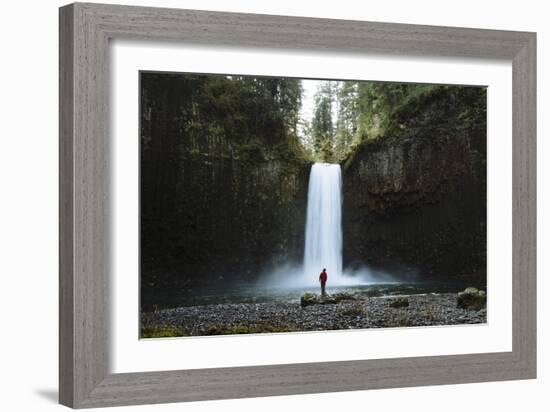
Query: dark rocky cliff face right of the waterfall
x: 416, y: 198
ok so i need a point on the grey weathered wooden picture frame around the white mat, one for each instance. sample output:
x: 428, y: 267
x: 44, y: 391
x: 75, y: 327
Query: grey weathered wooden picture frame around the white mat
x: 85, y: 30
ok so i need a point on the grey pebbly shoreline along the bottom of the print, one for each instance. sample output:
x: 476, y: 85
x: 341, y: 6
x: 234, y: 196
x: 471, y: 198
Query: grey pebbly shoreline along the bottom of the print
x: 371, y: 312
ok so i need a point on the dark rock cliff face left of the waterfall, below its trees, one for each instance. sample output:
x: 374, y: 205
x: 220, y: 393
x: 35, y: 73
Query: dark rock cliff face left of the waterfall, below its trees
x: 214, y: 208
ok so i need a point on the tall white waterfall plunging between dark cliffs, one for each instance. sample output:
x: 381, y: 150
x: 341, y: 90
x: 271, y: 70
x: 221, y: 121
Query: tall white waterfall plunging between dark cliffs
x: 323, y: 247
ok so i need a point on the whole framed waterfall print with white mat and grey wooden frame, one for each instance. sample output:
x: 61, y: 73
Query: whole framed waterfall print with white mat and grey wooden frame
x: 257, y: 205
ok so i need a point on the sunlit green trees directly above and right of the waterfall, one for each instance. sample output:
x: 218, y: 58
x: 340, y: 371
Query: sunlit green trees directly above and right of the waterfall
x: 347, y: 114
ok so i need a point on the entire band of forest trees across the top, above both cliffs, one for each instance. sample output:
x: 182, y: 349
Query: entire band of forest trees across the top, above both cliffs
x: 313, y: 120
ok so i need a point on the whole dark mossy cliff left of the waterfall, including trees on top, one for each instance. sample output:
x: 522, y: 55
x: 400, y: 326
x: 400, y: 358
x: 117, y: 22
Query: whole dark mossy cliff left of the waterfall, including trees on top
x: 223, y: 179
